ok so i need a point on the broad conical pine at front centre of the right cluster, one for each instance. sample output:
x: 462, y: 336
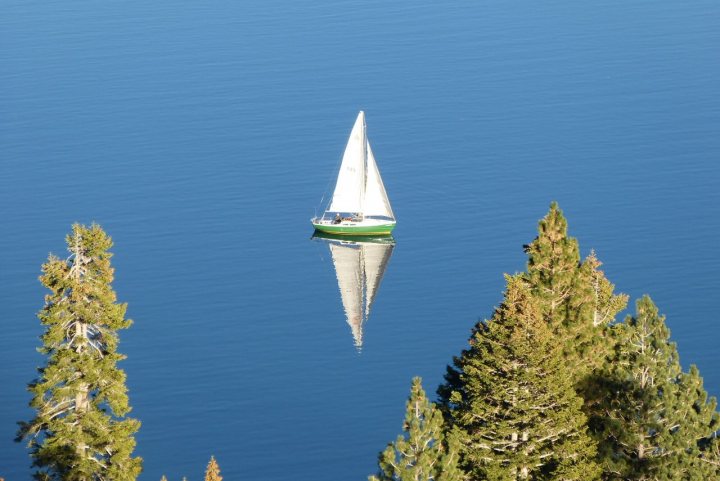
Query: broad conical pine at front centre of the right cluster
x: 512, y: 402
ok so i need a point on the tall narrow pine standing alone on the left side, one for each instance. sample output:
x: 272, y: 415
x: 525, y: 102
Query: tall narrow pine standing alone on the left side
x: 79, y: 432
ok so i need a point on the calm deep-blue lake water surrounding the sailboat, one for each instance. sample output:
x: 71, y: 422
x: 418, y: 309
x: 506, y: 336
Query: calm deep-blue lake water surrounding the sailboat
x: 202, y: 136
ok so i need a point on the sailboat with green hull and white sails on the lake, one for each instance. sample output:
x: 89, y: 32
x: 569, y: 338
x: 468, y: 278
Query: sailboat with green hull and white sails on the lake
x: 359, y: 205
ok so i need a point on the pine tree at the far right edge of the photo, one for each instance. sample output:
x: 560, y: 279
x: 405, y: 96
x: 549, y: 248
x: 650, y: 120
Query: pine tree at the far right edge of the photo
x: 654, y: 422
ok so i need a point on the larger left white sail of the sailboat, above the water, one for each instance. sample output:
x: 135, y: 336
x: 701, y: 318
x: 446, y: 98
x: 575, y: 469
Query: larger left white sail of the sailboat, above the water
x: 349, y: 191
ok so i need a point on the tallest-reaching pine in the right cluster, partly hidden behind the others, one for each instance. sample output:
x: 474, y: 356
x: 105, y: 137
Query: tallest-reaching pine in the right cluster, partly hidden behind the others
x: 575, y: 298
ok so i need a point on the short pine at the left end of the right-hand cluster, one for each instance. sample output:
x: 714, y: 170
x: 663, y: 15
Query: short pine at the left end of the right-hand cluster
x: 424, y: 455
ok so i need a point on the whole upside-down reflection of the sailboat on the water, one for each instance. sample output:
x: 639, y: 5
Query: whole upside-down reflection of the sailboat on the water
x: 360, y: 263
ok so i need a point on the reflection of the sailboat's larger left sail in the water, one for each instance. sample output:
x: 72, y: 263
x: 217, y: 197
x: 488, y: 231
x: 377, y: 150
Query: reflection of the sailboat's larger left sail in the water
x: 349, y: 271
